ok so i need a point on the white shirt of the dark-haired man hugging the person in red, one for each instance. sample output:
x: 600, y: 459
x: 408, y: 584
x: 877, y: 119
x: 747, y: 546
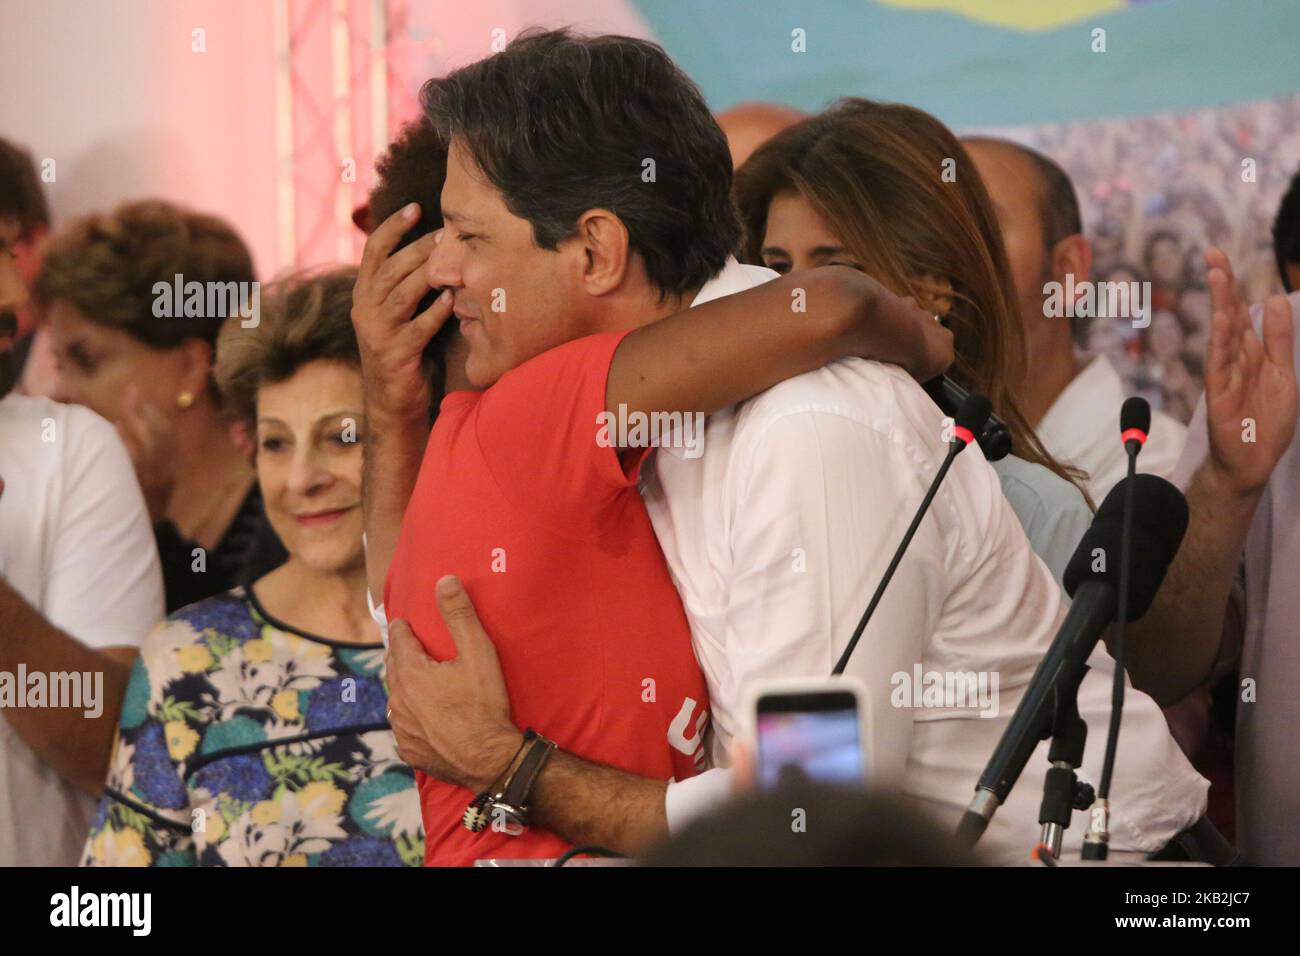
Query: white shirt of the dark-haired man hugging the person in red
x: 777, y: 538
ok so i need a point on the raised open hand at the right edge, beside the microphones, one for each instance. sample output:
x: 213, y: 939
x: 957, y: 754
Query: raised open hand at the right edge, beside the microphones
x: 1250, y: 383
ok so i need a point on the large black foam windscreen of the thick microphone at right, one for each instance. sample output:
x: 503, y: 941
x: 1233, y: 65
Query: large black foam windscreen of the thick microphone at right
x: 1160, y: 522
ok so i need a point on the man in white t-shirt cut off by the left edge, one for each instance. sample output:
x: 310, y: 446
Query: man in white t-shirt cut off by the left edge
x: 80, y: 587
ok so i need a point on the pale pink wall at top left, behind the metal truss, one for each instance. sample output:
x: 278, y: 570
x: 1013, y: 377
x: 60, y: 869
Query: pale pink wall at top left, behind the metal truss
x: 116, y: 94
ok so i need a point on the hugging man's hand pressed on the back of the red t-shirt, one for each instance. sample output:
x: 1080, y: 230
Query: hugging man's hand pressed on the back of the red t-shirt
x: 452, y: 719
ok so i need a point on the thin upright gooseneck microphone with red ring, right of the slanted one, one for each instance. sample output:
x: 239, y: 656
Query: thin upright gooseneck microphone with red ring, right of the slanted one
x: 1134, y: 427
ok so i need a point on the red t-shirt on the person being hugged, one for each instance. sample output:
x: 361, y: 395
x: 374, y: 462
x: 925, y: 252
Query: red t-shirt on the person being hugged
x: 556, y: 550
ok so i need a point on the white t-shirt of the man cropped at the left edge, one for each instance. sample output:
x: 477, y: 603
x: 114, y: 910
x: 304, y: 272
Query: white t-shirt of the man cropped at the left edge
x: 77, y: 544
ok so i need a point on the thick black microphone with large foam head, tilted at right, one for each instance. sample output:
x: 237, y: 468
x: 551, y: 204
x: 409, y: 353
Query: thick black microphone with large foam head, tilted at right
x: 1091, y: 579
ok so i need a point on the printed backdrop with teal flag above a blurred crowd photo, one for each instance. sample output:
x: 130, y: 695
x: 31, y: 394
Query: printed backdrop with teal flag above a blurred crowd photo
x: 1176, y: 119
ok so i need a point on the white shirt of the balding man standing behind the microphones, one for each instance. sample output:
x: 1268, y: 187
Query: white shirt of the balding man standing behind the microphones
x: 1082, y: 429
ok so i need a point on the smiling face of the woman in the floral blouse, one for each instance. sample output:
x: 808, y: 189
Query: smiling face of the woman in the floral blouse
x: 310, y: 436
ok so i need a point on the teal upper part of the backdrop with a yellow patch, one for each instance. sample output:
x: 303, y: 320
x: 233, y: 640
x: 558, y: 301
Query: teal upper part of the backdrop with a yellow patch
x: 987, y: 62
